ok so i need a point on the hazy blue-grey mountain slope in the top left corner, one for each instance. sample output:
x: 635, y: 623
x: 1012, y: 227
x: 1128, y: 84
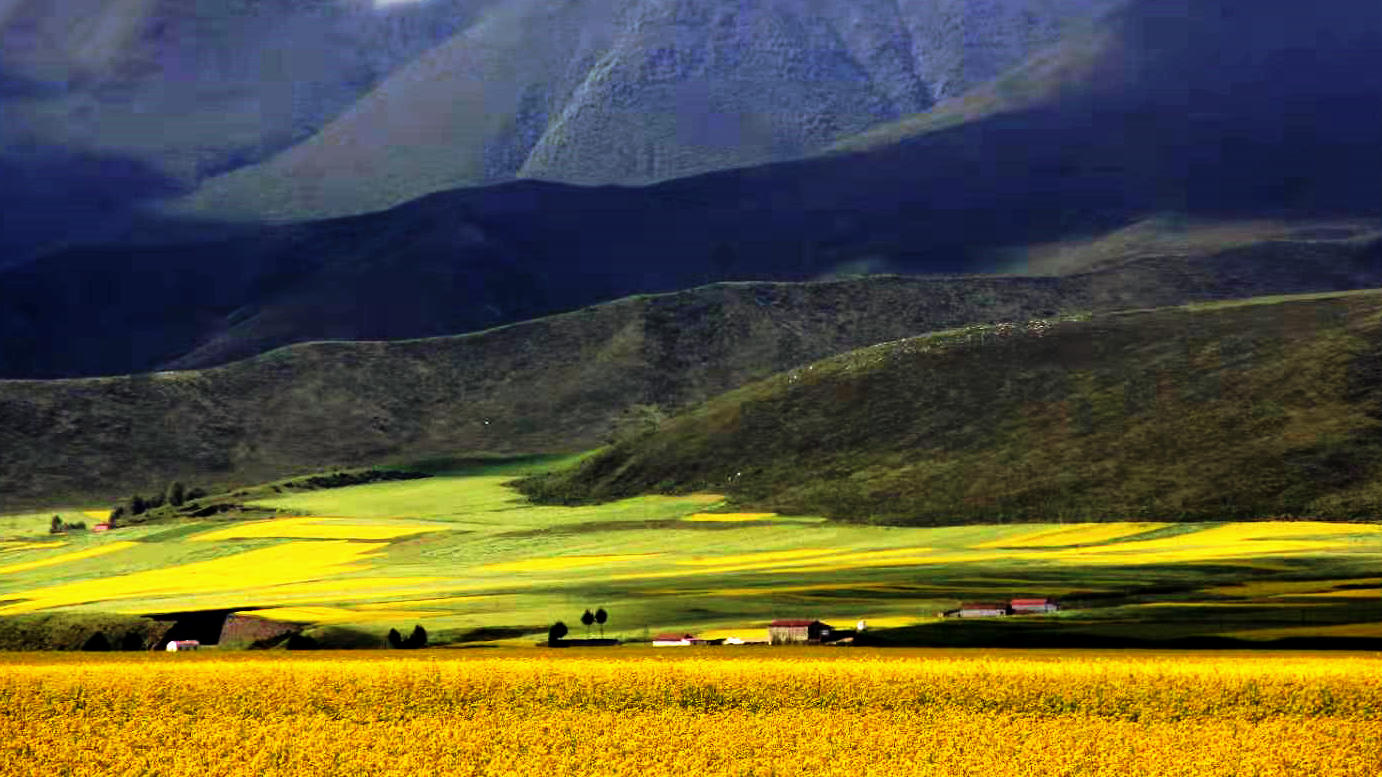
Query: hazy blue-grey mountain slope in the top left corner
x: 113, y: 103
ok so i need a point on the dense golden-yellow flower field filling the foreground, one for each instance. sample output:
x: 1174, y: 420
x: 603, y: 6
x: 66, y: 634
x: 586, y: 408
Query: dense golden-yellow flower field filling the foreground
x: 935, y: 714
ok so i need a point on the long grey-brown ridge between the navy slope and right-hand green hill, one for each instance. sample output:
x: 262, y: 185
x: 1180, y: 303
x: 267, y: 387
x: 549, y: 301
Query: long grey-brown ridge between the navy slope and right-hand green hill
x: 560, y: 384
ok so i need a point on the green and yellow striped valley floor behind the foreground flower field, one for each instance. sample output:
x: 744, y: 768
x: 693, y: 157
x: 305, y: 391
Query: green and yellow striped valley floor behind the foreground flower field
x: 464, y: 552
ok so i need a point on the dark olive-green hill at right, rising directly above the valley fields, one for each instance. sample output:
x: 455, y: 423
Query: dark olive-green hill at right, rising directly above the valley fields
x: 1236, y: 411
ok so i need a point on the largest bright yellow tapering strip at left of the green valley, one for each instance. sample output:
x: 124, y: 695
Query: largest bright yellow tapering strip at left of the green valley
x: 277, y: 566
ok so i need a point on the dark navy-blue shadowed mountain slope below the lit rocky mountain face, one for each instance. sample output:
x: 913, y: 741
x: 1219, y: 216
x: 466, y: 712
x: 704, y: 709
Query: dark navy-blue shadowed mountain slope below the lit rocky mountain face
x: 1211, y: 111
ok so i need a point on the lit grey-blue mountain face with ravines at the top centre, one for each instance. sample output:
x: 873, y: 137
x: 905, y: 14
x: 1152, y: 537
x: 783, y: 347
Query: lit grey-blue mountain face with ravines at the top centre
x: 634, y: 92
